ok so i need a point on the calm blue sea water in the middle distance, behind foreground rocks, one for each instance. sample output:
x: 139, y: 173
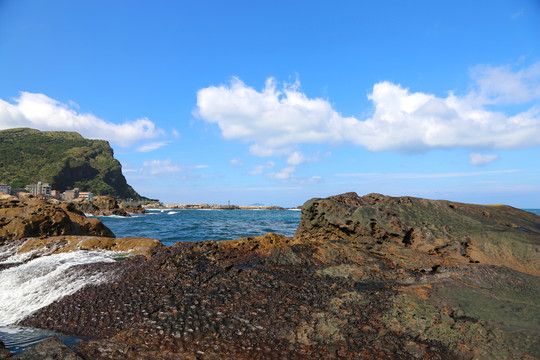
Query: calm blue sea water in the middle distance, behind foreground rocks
x: 171, y: 226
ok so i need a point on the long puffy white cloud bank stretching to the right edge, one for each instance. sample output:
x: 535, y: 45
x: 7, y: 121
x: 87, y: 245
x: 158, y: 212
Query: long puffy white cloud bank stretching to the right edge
x: 279, y: 118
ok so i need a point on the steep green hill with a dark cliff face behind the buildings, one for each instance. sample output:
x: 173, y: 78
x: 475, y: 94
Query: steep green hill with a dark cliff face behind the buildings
x: 66, y: 160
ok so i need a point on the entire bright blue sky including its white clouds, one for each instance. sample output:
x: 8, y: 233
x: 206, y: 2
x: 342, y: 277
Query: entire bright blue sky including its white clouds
x: 277, y: 102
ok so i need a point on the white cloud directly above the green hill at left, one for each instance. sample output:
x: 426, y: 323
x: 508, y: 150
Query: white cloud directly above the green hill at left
x: 41, y: 112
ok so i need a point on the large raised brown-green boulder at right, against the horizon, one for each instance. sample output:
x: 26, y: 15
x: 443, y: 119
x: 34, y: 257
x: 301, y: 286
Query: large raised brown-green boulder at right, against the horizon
x: 413, y: 227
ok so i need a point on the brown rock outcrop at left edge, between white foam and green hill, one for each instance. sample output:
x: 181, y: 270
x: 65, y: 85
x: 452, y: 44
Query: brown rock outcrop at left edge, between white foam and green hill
x: 35, y: 218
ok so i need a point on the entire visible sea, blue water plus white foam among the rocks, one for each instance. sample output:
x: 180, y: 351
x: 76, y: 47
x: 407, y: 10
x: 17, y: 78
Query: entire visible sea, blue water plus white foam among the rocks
x: 26, y: 286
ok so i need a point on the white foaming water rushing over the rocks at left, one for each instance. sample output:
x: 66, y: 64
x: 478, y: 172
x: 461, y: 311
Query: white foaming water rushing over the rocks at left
x: 39, y: 282
